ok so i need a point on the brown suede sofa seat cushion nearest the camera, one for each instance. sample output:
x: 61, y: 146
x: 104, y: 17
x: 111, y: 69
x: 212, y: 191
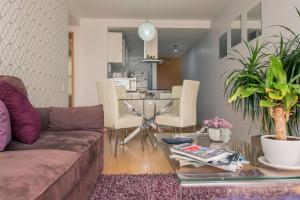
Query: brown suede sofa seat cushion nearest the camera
x: 38, y: 174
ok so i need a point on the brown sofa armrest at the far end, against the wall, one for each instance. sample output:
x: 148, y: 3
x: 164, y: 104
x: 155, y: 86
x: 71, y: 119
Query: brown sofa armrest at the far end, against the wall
x: 76, y: 118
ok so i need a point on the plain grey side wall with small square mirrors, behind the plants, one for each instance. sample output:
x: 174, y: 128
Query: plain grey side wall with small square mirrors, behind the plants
x: 202, y: 62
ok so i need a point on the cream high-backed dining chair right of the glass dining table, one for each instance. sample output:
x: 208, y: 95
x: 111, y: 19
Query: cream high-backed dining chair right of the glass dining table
x: 186, y: 115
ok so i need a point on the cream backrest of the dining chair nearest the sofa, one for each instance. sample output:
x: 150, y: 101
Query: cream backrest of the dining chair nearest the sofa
x: 107, y: 94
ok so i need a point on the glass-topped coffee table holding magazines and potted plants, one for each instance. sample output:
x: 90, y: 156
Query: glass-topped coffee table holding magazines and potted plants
x: 253, y: 173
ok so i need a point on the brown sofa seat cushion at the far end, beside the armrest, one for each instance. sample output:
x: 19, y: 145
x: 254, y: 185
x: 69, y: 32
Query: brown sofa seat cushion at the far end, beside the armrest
x: 88, y: 143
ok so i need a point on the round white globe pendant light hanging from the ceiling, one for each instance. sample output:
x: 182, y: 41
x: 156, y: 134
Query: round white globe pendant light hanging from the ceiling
x: 147, y: 30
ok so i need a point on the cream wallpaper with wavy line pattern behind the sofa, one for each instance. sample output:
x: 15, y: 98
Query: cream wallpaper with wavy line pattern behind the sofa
x: 34, y: 47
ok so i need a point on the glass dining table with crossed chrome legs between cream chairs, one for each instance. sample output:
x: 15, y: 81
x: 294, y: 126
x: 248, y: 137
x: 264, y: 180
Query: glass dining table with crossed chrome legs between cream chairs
x: 148, y: 119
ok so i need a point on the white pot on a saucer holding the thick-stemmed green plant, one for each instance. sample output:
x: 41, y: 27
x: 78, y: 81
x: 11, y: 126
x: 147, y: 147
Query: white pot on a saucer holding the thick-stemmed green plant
x: 281, y: 152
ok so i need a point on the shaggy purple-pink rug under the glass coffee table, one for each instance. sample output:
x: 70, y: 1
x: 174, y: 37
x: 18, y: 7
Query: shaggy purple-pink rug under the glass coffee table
x: 166, y: 187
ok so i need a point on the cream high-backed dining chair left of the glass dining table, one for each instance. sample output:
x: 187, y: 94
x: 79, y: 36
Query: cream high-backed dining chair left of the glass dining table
x: 113, y: 118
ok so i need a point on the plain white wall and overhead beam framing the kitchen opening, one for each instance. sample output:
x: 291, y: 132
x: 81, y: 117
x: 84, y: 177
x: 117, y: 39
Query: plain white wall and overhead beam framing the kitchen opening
x: 91, y: 51
